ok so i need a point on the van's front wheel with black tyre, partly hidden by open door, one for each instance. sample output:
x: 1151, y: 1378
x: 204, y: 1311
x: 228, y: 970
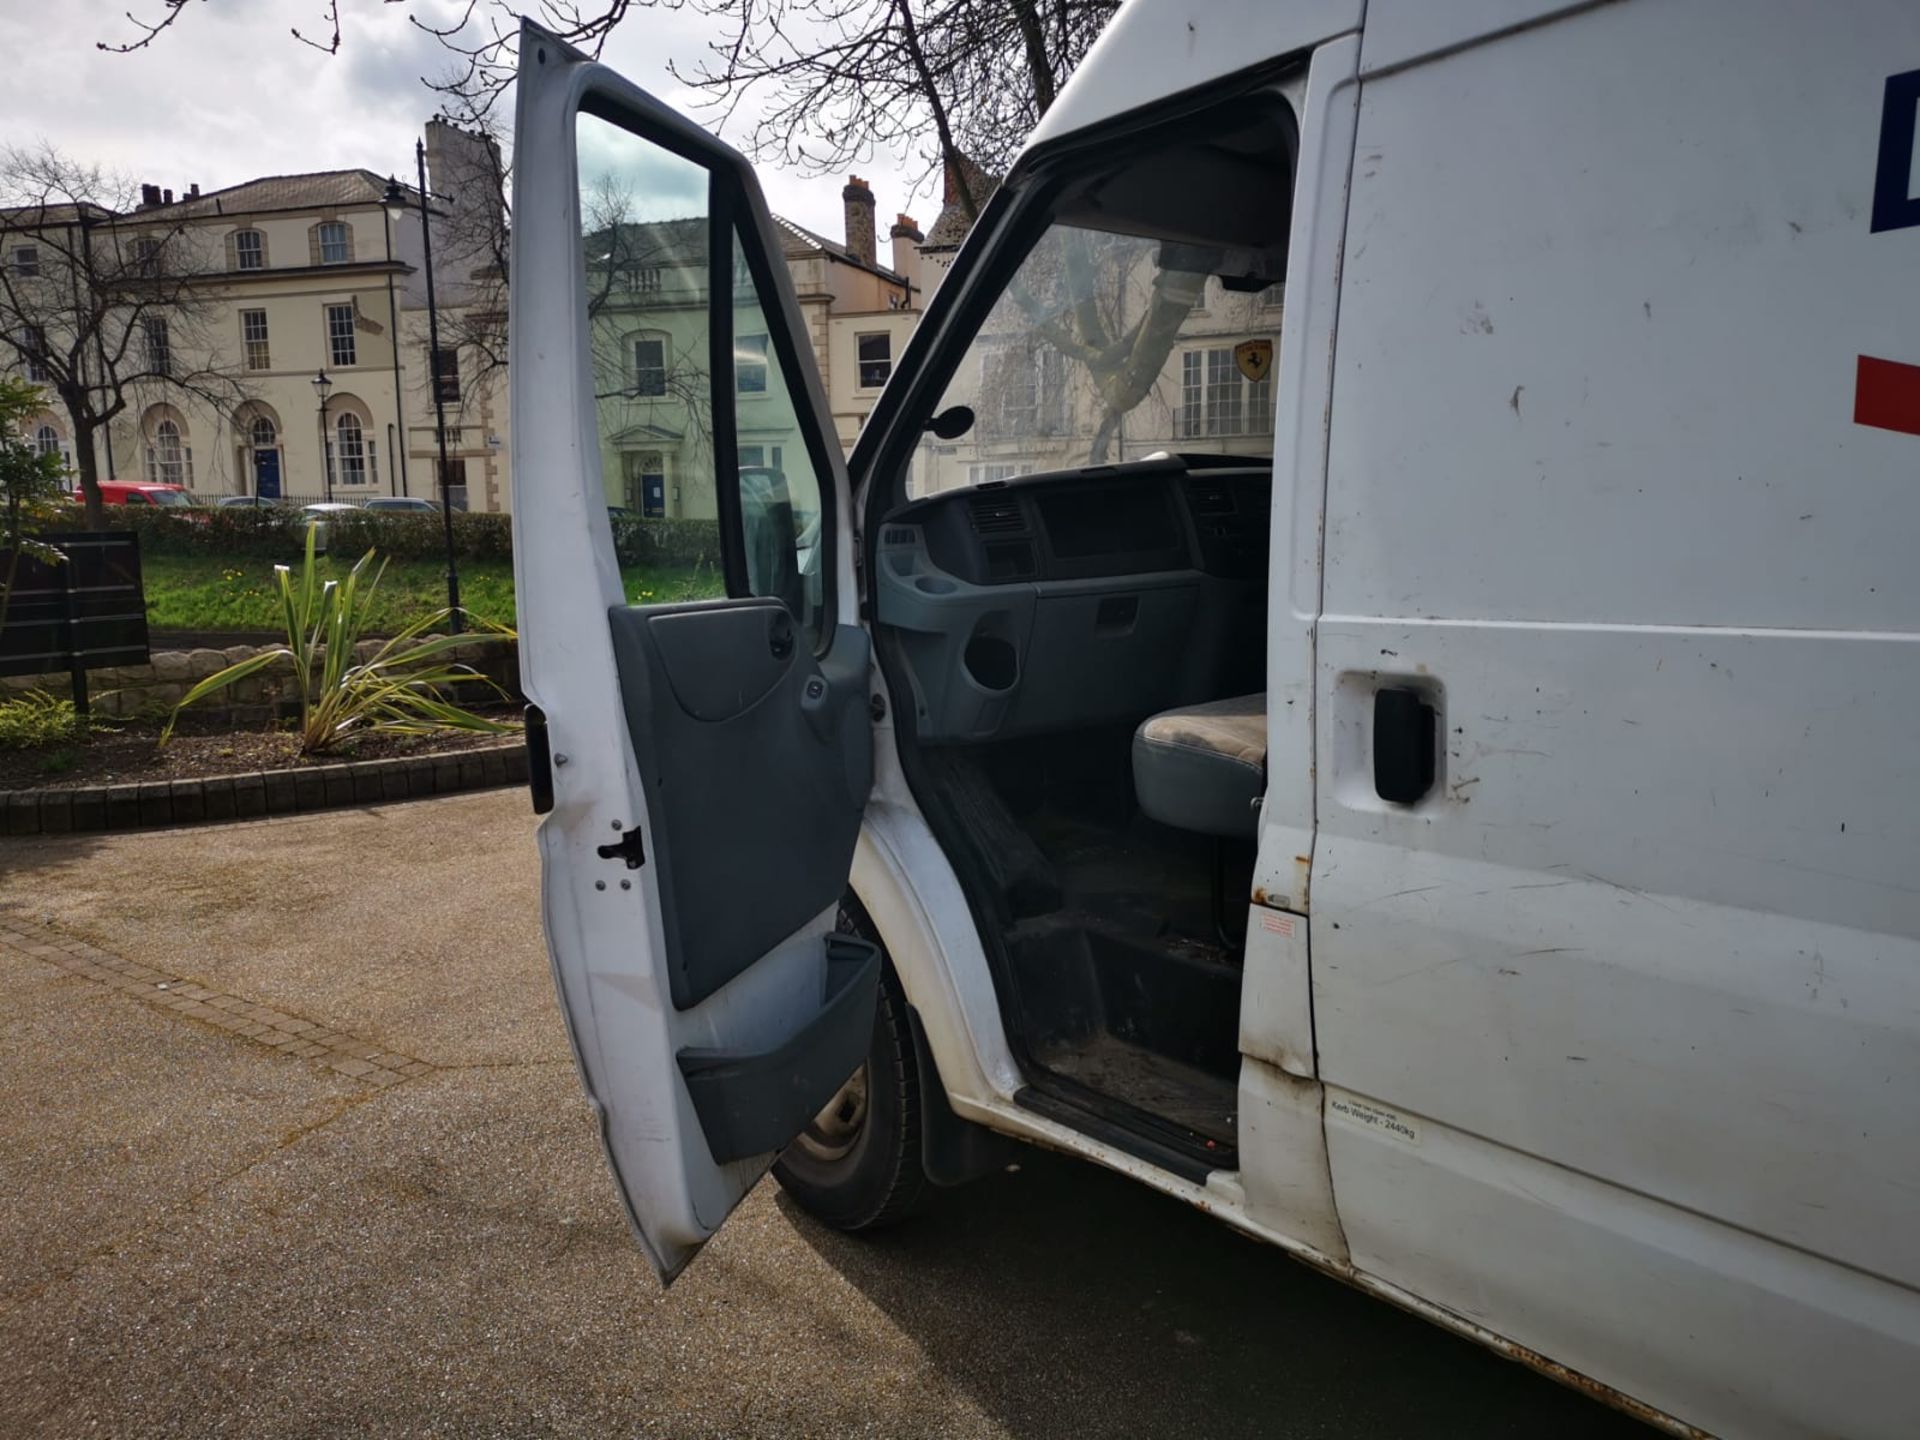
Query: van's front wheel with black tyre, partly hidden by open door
x: 857, y: 1164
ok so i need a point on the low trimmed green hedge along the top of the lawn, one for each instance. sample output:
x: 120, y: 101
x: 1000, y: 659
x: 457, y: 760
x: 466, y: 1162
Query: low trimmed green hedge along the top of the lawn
x: 277, y: 535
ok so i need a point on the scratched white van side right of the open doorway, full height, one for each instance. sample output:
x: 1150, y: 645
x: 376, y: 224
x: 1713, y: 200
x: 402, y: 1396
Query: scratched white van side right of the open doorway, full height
x: 1596, y: 485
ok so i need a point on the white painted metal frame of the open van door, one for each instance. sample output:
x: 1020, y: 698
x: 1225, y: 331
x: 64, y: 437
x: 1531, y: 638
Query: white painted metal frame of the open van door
x: 606, y: 942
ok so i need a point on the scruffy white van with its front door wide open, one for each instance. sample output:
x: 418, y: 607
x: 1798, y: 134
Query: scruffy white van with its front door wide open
x: 1362, y: 671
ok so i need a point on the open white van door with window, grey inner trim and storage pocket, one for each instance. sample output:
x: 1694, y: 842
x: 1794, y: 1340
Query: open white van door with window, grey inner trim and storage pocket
x: 704, y: 767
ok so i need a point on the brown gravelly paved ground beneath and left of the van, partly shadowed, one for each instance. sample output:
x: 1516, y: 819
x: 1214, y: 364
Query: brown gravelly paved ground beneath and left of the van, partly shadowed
x: 337, y: 1180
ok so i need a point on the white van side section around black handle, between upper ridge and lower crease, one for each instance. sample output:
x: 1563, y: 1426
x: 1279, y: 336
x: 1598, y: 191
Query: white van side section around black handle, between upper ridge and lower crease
x: 1629, y: 932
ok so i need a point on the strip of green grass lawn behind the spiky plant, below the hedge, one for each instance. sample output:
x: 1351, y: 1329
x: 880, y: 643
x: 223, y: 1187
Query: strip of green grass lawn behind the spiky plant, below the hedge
x: 214, y: 592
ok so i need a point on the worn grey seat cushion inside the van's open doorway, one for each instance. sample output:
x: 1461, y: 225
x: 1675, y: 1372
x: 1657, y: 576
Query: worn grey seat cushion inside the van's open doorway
x: 1205, y: 765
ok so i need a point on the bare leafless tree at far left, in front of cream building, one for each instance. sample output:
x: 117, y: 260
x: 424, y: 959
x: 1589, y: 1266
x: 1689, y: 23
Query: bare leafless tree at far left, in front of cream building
x: 112, y: 310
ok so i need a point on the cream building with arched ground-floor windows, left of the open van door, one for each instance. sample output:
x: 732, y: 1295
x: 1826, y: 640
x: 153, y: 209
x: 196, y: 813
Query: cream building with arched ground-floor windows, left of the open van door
x: 302, y: 277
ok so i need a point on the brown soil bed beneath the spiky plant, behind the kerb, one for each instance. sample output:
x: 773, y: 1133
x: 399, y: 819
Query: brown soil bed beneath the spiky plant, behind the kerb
x: 128, y: 754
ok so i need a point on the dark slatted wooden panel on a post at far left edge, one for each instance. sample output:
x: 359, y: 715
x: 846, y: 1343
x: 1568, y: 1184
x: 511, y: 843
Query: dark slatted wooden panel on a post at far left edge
x: 87, y: 613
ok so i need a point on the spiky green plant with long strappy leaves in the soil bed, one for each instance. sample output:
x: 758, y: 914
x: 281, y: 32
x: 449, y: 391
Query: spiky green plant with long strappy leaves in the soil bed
x: 398, y: 690
